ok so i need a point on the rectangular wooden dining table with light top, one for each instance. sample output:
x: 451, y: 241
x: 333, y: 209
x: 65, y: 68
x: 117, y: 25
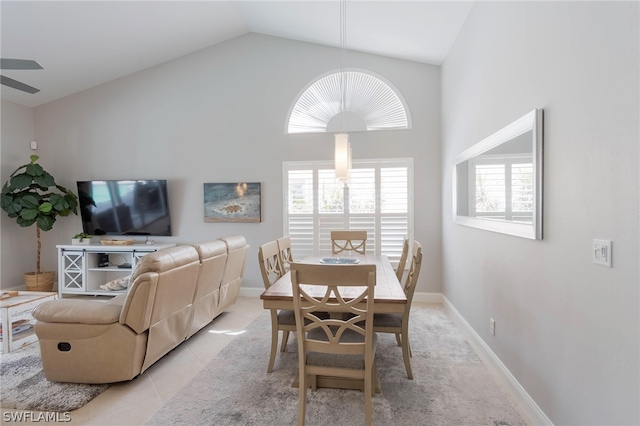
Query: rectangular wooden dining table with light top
x: 389, y: 297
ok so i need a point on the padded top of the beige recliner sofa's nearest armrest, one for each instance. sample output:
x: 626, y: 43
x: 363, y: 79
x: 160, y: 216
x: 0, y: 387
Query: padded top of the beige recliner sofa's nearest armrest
x: 77, y: 311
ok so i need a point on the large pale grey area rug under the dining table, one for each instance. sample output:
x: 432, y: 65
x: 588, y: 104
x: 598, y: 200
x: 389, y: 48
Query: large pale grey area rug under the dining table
x: 451, y: 384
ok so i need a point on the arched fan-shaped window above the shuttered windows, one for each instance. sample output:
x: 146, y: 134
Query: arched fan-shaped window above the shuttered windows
x: 370, y: 104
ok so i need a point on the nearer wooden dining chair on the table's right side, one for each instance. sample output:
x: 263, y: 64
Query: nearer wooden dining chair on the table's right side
x: 398, y: 324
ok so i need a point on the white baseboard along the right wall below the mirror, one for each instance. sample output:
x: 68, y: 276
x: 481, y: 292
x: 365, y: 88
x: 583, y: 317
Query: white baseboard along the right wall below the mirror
x: 528, y: 406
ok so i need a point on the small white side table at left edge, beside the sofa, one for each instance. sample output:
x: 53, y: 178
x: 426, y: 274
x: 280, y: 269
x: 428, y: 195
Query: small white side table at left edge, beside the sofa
x: 17, y: 322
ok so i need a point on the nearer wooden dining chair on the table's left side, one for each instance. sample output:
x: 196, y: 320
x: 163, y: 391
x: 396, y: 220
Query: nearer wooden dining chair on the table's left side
x: 271, y: 269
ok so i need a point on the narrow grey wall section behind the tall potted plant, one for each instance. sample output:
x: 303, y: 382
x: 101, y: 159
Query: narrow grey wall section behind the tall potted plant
x: 17, y: 245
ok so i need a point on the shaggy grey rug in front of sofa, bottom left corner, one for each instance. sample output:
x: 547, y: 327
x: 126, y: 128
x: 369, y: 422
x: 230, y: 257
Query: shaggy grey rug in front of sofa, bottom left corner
x: 24, y: 387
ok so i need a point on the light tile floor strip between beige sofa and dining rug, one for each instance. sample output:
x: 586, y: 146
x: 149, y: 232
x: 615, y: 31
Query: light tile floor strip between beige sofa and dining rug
x: 134, y: 402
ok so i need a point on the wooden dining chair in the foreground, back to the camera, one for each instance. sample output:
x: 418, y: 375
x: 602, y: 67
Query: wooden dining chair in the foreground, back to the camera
x: 341, y: 345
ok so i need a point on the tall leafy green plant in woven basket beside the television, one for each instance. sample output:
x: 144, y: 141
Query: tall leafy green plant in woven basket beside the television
x: 32, y: 197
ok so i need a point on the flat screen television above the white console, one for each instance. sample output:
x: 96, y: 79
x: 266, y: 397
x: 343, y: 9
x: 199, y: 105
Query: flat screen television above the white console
x: 124, y: 207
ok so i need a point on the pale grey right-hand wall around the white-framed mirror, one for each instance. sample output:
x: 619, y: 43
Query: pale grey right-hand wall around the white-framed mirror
x: 567, y: 329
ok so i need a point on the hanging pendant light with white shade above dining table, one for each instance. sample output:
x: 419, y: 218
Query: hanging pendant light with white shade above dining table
x: 342, y: 146
